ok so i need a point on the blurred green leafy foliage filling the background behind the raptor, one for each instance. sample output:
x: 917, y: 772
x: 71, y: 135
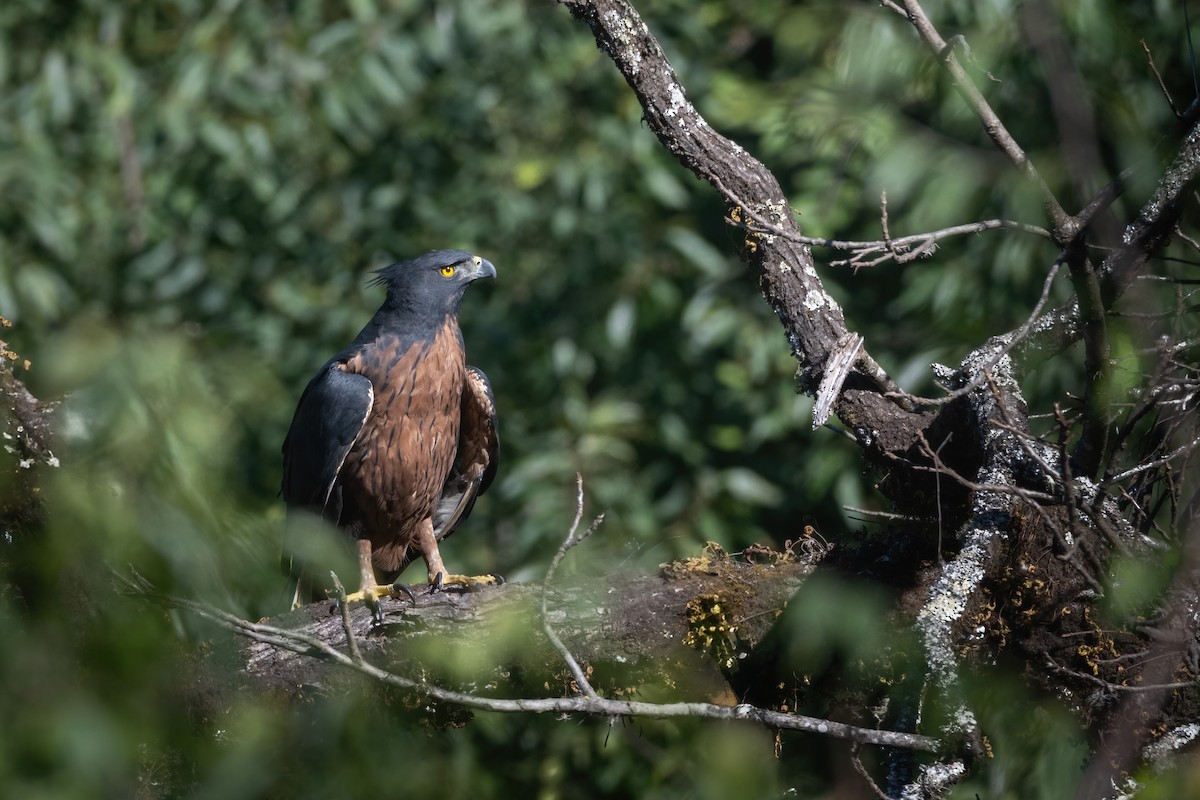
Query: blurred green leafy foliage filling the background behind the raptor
x: 191, y: 199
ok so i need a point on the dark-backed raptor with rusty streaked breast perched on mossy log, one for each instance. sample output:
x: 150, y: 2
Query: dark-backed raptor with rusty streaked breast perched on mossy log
x: 395, y: 437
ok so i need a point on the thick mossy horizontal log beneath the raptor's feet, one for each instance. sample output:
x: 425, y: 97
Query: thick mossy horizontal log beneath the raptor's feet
x: 674, y: 635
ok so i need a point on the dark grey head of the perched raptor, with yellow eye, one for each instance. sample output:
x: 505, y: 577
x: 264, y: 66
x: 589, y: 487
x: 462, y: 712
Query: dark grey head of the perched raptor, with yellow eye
x: 434, y: 282
